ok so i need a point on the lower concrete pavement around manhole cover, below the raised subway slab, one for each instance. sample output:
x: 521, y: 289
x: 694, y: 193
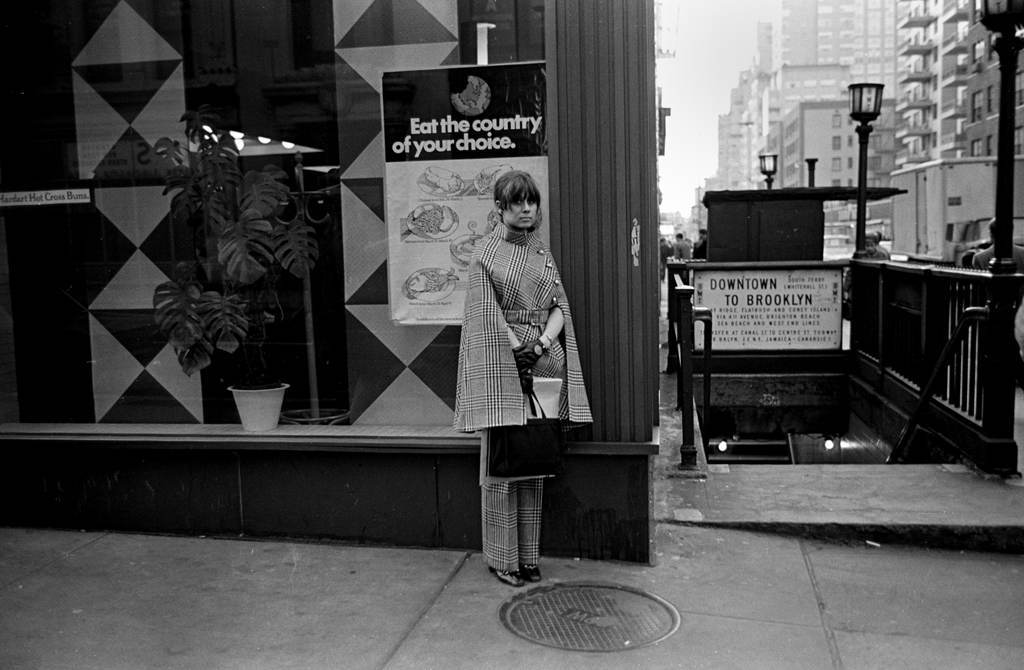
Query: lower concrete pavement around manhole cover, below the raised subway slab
x: 96, y: 601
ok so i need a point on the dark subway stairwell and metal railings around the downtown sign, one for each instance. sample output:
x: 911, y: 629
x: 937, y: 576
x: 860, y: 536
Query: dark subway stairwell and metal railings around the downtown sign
x: 793, y: 407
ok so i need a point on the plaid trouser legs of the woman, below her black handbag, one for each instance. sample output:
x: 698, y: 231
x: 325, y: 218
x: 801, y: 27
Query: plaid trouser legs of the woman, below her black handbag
x: 511, y: 519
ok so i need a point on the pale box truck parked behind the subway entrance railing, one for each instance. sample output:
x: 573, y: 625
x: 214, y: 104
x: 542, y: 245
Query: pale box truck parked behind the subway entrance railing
x: 948, y: 206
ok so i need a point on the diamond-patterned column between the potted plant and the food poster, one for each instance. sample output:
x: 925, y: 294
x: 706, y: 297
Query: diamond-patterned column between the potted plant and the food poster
x: 415, y: 382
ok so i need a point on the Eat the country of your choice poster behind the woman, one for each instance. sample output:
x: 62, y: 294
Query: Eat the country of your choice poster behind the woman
x: 449, y: 135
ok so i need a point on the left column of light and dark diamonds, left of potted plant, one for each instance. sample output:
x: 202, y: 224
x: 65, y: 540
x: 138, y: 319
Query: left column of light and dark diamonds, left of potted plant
x: 136, y: 376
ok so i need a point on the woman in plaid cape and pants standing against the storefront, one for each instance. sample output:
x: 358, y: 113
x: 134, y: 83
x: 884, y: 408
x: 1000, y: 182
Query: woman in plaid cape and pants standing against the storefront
x: 518, y: 324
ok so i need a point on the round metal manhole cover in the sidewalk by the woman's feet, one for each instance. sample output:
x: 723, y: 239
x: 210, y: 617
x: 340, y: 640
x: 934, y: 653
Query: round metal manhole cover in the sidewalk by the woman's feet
x: 589, y: 617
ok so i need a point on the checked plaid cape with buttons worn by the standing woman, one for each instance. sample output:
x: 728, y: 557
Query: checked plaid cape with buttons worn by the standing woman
x: 511, y: 272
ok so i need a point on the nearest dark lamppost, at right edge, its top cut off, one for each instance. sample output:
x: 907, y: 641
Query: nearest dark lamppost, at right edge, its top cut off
x: 1004, y: 17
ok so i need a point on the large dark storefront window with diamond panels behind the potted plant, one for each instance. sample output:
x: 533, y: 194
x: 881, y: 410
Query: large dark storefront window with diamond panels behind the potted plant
x: 89, y: 235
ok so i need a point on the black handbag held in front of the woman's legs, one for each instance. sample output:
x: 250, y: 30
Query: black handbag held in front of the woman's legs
x: 534, y: 449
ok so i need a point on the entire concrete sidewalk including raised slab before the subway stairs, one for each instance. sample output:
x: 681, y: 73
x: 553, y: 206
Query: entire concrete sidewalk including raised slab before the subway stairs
x: 746, y: 599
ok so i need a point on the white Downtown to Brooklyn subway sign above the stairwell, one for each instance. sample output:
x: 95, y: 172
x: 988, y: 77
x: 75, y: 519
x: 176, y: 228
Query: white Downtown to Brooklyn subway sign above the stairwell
x: 772, y: 310
